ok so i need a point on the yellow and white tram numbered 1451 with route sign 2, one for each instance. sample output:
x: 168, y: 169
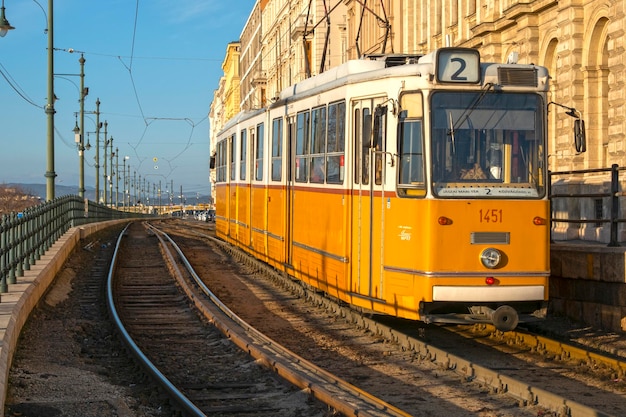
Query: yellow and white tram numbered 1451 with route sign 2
x: 413, y: 186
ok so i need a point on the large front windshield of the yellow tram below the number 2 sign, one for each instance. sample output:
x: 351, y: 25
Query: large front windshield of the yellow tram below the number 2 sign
x: 487, y: 145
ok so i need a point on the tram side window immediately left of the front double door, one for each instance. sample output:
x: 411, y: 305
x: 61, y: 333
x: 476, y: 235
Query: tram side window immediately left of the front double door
x: 336, y: 143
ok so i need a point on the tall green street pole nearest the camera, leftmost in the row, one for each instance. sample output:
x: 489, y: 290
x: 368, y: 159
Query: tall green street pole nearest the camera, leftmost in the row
x: 50, y: 174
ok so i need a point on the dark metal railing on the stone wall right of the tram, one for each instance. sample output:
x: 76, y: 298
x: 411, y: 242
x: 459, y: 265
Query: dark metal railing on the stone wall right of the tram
x: 608, y: 195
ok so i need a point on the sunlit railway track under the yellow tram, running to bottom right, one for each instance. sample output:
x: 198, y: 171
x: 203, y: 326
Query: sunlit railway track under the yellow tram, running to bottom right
x: 561, y: 382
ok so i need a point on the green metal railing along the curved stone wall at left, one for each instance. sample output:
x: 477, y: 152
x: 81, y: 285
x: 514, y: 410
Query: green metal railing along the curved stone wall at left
x: 26, y: 236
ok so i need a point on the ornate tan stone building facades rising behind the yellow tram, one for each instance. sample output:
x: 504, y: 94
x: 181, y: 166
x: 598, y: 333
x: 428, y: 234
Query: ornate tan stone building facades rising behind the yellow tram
x: 581, y: 42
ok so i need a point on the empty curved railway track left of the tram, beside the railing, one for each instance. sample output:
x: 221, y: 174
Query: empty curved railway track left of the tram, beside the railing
x: 195, y: 363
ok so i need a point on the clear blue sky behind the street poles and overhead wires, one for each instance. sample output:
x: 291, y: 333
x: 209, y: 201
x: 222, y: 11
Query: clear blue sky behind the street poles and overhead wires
x: 154, y: 66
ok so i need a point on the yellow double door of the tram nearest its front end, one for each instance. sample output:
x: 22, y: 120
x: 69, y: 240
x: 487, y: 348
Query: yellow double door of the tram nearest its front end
x: 368, y: 212
